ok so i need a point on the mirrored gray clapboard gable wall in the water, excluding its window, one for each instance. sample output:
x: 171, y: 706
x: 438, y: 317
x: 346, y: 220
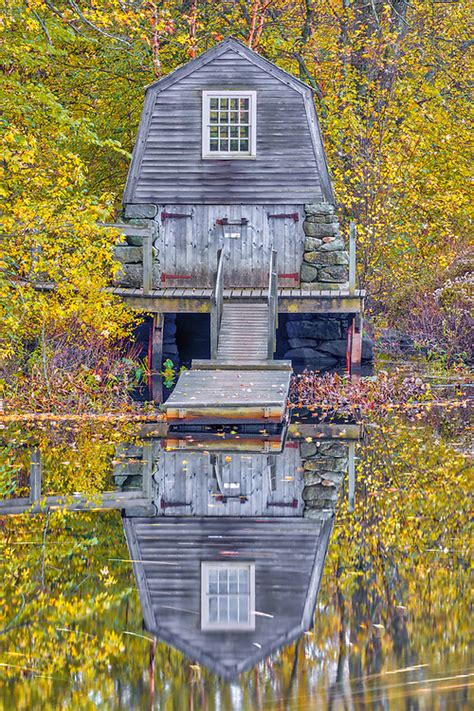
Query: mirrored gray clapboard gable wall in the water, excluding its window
x: 289, y: 557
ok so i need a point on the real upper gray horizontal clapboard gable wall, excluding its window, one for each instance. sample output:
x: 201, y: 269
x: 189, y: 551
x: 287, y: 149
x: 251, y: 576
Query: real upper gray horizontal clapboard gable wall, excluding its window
x: 168, y: 167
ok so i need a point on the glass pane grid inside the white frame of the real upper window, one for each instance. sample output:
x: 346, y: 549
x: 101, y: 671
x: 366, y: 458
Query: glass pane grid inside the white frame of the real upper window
x: 229, y: 124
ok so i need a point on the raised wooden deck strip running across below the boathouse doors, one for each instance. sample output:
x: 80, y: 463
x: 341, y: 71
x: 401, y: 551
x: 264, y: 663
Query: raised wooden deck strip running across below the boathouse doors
x: 195, y: 300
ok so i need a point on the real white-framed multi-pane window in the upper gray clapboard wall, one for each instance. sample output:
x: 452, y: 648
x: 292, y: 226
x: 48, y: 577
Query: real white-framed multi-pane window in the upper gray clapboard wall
x: 229, y: 124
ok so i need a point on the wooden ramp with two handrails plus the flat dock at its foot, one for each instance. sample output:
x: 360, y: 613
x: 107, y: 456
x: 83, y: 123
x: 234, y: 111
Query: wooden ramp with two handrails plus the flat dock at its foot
x: 241, y: 382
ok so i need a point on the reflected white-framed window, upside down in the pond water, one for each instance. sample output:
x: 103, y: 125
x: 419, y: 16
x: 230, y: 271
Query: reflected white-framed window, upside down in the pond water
x: 227, y: 596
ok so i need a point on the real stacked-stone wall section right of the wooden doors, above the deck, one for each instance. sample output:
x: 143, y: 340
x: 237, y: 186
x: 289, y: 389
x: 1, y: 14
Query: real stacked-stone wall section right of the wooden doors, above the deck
x: 325, y: 260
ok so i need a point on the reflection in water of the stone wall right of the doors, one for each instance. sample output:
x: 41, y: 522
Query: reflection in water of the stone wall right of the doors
x: 325, y: 463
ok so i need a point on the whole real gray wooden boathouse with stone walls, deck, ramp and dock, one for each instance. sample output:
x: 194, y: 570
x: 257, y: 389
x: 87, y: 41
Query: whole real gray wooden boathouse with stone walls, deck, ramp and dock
x: 229, y: 210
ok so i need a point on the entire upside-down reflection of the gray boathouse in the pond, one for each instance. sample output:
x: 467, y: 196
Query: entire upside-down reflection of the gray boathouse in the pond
x: 228, y: 570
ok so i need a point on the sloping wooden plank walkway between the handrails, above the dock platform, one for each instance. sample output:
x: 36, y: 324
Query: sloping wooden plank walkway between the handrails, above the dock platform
x: 243, y: 335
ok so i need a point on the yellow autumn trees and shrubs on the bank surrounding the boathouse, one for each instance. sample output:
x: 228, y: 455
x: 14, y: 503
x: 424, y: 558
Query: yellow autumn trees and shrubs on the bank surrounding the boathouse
x: 391, y: 93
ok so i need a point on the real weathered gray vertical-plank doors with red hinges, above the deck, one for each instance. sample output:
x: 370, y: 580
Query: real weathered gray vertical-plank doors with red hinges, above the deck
x: 188, y: 246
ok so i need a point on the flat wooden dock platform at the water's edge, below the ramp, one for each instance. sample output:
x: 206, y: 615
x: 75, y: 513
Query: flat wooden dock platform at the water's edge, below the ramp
x: 230, y: 394
